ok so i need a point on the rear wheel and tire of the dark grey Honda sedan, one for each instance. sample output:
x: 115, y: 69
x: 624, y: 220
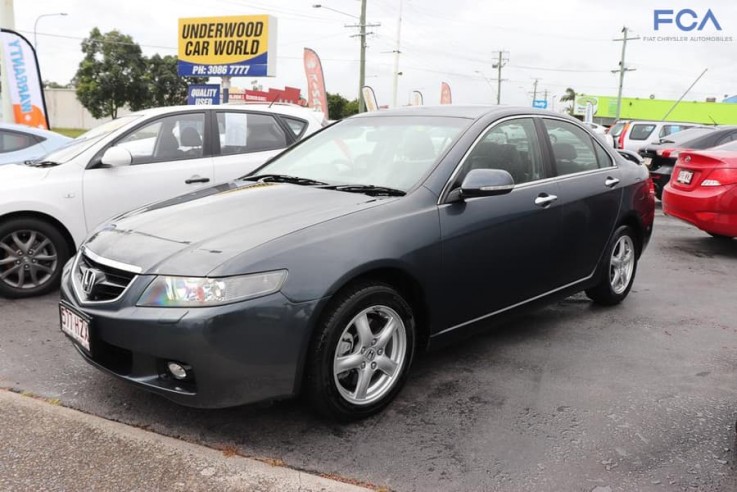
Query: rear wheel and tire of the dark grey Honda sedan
x: 618, y: 269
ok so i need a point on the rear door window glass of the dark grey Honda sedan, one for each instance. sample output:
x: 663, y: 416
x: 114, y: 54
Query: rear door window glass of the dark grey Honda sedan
x: 573, y: 148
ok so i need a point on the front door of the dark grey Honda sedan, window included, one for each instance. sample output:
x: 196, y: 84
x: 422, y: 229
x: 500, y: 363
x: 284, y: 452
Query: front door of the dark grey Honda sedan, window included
x: 499, y: 251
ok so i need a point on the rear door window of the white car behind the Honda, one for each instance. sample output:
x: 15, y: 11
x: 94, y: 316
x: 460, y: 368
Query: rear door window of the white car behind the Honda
x: 242, y: 132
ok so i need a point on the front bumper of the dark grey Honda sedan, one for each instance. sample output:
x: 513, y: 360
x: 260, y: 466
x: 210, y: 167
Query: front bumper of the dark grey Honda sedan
x: 239, y: 353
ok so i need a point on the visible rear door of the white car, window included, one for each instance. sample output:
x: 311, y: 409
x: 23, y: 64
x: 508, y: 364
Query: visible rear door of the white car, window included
x: 244, y: 140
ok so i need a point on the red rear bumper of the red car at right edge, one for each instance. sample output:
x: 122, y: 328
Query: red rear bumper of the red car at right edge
x: 711, y: 209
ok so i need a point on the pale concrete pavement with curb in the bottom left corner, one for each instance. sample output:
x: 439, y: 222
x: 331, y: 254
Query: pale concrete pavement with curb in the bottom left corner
x: 50, y: 447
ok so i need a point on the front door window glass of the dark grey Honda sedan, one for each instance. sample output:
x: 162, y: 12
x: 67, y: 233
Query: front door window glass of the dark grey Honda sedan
x: 511, y: 146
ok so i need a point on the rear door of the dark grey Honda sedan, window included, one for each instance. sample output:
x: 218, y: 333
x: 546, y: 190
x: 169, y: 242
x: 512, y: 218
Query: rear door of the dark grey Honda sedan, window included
x: 590, y: 196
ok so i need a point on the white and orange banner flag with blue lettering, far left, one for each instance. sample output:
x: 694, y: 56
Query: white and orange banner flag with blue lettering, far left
x: 24, y: 80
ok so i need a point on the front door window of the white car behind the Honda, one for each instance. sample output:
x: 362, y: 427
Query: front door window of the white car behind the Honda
x: 167, y: 139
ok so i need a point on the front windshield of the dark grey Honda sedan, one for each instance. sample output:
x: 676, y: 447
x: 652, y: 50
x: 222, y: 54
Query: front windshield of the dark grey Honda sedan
x: 387, y: 151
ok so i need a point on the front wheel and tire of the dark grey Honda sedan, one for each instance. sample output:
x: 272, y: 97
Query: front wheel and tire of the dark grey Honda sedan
x: 376, y: 361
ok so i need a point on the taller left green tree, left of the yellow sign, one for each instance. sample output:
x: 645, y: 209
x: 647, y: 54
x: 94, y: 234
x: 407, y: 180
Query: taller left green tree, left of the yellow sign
x: 111, y: 75
